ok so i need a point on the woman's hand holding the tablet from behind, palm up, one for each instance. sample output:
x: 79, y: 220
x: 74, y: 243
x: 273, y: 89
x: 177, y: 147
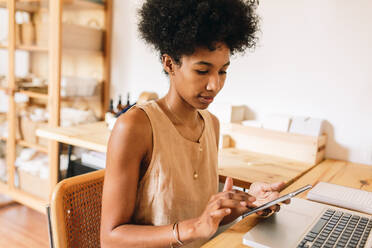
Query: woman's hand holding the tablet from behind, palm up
x: 264, y: 192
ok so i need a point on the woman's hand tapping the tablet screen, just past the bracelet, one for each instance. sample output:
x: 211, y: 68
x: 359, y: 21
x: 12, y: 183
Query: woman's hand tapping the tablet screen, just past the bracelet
x: 228, y: 204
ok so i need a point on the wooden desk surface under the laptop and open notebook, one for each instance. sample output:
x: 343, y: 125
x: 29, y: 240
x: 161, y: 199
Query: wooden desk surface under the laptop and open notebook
x: 333, y: 171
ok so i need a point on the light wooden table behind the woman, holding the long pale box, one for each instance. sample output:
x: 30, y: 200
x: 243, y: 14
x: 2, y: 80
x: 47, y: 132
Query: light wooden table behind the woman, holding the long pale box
x: 243, y: 166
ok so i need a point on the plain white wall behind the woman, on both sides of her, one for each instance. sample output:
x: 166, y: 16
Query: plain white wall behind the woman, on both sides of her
x: 313, y: 59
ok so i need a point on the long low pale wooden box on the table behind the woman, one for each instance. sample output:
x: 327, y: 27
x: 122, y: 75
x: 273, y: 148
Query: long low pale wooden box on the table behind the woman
x: 299, y: 147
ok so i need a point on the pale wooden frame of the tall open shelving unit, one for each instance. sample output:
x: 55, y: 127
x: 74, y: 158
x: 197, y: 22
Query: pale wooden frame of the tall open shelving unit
x: 53, y: 58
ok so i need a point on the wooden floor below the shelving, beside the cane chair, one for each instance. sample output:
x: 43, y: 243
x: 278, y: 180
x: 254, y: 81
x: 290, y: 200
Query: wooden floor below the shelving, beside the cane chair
x: 21, y: 226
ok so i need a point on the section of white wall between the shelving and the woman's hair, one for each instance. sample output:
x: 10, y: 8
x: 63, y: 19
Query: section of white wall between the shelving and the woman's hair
x: 135, y: 67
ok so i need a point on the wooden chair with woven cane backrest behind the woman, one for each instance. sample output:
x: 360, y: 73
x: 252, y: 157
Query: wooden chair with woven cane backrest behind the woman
x: 75, y: 211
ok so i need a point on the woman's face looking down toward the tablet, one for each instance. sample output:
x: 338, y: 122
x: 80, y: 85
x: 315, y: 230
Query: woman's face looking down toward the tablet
x: 201, y: 75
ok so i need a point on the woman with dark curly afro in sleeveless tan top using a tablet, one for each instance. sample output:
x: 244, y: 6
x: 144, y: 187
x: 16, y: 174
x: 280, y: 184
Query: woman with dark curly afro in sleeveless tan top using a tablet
x: 161, y: 181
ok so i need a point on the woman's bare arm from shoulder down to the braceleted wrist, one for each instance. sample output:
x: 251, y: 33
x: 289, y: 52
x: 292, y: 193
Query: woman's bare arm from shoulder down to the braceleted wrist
x: 129, y: 146
